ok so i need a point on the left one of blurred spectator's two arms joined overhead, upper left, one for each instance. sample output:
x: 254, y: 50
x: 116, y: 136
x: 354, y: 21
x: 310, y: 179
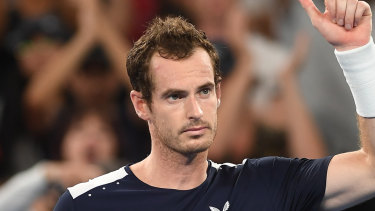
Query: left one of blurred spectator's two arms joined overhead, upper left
x: 44, y: 91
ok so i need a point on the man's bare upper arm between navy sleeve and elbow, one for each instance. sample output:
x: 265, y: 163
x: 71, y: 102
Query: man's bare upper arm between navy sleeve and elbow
x: 350, y: 180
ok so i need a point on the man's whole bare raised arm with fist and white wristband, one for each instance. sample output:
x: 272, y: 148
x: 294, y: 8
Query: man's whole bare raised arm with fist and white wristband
x: 346, y: 24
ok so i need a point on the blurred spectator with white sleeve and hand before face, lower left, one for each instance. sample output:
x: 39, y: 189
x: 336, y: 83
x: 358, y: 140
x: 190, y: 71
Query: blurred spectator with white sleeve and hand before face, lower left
x: 89, y: 146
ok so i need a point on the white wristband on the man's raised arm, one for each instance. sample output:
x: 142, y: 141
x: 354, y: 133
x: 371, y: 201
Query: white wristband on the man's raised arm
x: 359, y: 69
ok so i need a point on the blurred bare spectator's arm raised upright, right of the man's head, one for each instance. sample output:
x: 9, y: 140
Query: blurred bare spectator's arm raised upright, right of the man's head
x: 303, y: 137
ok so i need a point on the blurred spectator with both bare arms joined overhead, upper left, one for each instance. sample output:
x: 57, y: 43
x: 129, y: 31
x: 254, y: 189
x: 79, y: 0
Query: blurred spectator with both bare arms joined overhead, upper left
x: 87, y: 71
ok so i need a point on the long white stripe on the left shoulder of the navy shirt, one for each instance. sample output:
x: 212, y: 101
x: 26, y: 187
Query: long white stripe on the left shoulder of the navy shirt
x: 82, y: 188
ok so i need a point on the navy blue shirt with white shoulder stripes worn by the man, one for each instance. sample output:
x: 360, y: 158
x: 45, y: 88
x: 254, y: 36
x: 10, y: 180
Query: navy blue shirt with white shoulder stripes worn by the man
x: 270, y: 183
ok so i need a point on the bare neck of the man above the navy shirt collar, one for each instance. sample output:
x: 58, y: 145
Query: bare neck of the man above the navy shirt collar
x: 183, y: 172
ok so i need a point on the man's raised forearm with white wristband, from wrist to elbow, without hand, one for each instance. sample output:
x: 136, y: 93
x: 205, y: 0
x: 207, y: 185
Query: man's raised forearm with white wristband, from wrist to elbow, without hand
x: 359, y: 69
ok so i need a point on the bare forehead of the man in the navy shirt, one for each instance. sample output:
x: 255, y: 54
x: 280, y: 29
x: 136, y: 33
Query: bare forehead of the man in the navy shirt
x: 181, y: 74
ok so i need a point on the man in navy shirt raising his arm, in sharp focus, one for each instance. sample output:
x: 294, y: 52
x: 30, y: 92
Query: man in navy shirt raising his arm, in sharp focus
x: 174, y: 73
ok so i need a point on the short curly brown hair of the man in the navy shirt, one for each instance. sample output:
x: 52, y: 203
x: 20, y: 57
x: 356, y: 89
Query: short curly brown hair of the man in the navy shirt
x: 173, y: 38
